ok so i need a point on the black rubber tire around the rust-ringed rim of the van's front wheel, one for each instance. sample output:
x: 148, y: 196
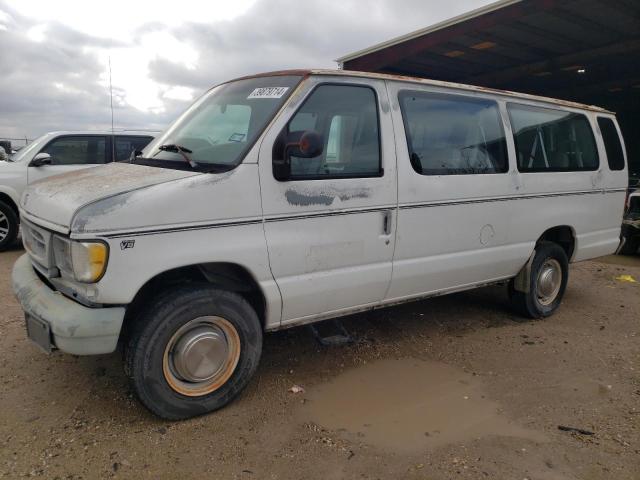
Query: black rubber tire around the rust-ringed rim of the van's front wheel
x: 155, y: 328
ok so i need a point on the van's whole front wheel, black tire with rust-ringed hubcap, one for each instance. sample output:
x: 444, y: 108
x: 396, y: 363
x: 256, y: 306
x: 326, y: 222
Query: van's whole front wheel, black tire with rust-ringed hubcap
x: 193, y: 351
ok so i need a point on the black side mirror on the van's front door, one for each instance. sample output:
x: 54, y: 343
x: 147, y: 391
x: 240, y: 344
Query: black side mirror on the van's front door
x: 307, y: 144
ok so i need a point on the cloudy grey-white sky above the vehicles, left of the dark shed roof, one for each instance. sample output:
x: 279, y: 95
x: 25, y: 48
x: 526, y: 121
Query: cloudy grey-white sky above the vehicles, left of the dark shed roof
x: 54, y: 55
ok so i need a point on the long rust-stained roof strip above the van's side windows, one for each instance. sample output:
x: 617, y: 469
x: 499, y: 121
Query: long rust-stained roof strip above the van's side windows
x: 436, y: 83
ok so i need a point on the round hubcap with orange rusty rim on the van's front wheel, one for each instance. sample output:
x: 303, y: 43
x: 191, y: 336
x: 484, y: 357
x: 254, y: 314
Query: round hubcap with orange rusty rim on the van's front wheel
x: 201, y: 356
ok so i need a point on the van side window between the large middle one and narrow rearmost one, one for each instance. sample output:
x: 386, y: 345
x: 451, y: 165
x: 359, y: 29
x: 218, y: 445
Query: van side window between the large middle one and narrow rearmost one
x: 549, y: 140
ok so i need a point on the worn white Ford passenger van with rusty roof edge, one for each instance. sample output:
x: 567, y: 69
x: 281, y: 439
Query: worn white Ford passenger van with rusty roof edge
x: 287, y: 198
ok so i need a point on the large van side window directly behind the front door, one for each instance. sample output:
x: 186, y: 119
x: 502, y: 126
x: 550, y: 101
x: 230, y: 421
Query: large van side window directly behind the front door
x: 453, y: 135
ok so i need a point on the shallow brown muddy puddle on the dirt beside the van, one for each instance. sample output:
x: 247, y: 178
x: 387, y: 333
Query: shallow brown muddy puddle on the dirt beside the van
x: 407, y: 406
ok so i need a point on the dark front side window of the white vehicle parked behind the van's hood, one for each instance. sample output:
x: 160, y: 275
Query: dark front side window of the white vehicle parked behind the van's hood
x: 77, y: 150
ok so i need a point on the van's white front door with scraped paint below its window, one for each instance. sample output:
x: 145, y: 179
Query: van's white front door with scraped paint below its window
x: 330, y: 225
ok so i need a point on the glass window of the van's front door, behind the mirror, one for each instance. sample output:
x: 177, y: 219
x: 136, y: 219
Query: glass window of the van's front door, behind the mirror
x: 346, y: 117
